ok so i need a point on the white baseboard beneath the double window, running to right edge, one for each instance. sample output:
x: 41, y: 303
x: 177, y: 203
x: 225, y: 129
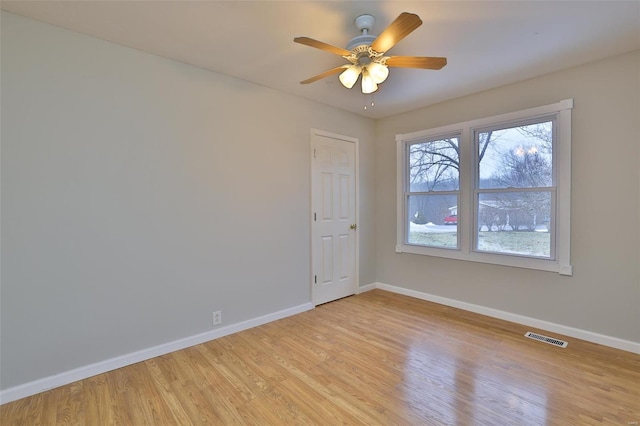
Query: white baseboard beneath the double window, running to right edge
x: 601, y: 339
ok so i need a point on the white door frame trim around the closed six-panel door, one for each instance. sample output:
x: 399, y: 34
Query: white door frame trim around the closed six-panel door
x: 356, y: 260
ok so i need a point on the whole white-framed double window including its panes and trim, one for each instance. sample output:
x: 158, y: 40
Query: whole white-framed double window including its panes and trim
x: 495, y: 190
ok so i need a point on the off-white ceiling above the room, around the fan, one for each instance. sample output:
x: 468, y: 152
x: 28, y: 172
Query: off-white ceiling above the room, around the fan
x: 487, y: 43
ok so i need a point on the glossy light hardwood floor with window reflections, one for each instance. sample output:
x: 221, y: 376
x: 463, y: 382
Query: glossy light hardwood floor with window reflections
x: 377, y: 359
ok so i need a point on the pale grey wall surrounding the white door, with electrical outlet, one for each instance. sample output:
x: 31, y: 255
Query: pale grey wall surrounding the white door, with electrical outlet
x: 140, y: 194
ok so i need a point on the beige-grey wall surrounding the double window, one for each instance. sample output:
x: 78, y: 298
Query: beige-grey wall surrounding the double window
x: 603, y: 295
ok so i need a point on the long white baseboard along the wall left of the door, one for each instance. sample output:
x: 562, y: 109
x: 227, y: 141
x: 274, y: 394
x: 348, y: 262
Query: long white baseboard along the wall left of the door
x: 41, y: 385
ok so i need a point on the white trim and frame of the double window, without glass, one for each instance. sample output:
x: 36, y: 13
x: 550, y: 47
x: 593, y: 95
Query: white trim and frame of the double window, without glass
x: 562, y: 157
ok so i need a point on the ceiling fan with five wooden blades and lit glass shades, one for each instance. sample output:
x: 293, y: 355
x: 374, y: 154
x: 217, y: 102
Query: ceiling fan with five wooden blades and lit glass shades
x: 366, y: 53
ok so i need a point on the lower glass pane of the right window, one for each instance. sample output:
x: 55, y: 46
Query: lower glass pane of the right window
x: 515, y: 223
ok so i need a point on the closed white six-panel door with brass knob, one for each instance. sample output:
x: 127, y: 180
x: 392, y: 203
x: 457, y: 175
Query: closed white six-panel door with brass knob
x: 333, y: 204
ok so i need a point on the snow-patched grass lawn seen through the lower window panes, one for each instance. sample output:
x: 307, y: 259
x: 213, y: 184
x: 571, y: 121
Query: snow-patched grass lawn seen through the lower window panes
x: 525, y: 243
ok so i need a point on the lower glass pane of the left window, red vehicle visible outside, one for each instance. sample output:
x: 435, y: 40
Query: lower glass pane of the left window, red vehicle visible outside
x: 433, y: 220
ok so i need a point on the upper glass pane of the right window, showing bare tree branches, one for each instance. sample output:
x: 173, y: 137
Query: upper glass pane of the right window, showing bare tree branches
x: 517, y: 157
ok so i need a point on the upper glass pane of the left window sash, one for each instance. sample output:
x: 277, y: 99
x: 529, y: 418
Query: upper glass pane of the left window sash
x: 434, y: 165
